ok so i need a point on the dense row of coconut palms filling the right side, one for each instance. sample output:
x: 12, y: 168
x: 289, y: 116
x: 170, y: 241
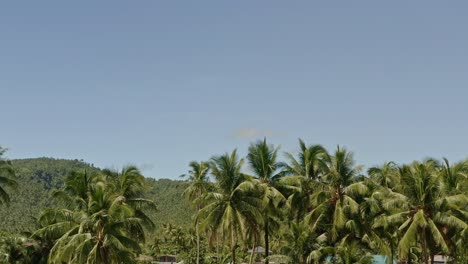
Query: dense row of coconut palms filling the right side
x: 318, y: 206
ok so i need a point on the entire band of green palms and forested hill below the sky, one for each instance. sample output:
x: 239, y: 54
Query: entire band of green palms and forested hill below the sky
x: 314, y: 206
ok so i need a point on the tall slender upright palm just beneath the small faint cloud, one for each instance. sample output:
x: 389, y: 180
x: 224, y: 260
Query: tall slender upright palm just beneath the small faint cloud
x: 263, y: 163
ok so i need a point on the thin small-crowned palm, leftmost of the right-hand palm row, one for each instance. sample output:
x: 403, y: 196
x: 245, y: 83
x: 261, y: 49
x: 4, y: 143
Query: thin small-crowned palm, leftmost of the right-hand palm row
x: 199, y: 186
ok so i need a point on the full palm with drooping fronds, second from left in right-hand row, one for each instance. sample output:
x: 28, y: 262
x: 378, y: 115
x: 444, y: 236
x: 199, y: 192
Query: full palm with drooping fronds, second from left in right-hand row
x: 232, y: 203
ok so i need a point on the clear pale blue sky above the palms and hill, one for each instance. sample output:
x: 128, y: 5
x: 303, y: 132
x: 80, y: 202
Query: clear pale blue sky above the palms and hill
x: 161, y: 83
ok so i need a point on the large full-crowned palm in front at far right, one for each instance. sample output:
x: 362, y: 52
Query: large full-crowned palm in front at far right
x: 425, y: 211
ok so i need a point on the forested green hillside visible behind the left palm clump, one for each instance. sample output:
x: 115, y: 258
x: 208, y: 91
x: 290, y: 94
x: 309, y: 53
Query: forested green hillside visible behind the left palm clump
x: 37, y: 178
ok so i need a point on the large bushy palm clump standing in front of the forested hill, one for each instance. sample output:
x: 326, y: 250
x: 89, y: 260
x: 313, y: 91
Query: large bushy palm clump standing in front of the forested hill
x: 98, y: 225
